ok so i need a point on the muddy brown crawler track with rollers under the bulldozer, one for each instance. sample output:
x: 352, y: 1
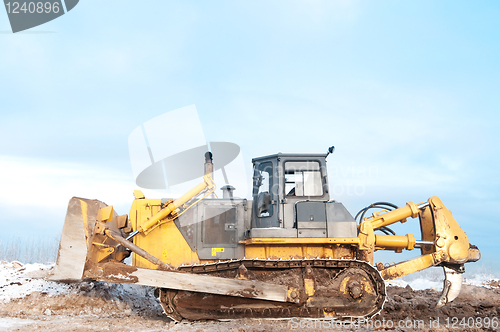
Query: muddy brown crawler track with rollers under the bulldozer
x: 341, y: 289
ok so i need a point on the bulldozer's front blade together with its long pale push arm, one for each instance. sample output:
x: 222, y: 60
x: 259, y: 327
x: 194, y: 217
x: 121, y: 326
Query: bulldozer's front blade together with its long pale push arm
x: 77, y: 260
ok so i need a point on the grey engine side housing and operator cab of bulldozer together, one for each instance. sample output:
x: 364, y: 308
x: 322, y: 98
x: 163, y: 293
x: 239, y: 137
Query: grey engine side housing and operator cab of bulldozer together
x: 290, y: 200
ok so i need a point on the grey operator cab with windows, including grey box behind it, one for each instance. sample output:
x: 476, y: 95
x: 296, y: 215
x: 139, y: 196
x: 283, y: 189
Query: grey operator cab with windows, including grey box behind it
x: 291, y: 199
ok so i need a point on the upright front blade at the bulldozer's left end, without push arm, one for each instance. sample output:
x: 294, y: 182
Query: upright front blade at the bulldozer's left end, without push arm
x: 72, y: 254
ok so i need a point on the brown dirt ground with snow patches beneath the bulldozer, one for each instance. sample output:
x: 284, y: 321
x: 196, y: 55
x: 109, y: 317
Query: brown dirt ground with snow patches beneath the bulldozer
x: 96, y: 307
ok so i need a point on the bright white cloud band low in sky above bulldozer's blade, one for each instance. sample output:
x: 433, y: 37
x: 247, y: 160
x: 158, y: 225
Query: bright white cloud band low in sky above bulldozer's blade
x: 38, y: 189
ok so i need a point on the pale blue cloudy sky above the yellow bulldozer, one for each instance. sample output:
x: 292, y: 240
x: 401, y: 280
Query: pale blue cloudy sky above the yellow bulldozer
x: 409, y: 89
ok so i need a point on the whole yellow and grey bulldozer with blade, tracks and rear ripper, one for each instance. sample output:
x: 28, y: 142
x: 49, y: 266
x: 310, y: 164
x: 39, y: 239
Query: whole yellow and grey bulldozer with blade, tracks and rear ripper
x: 291, y: 251
